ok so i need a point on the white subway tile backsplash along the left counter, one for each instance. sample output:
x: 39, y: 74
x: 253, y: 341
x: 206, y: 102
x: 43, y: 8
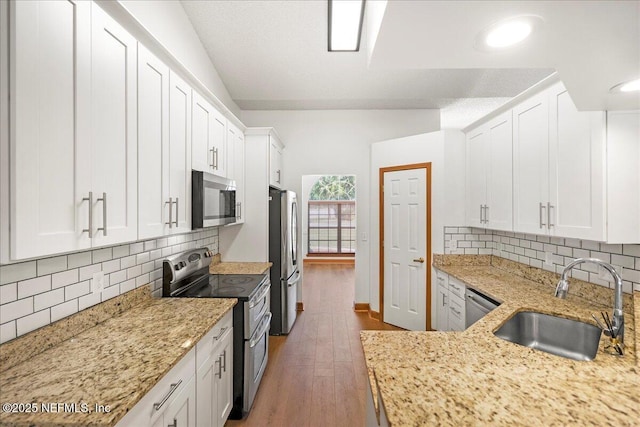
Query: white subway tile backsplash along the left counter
x: 36, y: 293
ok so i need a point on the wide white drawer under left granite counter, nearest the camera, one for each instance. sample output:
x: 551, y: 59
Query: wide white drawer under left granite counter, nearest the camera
x: 151, y: 407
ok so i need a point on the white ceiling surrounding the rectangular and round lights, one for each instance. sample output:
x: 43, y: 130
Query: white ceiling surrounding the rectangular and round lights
x: 273, y: 54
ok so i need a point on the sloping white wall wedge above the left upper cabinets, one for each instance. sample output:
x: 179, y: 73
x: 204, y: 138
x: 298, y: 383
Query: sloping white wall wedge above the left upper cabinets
x: 169, y: 24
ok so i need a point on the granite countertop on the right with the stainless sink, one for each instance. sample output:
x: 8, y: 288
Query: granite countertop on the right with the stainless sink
x: 475, y: 378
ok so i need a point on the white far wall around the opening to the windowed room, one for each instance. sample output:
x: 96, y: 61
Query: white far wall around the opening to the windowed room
x: 337, y: 142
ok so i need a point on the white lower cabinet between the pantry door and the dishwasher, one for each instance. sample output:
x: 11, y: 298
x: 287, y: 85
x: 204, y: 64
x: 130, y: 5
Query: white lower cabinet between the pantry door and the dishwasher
x: 451, y: 303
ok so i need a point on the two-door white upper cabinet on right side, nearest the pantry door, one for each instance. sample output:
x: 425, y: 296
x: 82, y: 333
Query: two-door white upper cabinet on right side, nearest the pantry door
x: 489, y: 179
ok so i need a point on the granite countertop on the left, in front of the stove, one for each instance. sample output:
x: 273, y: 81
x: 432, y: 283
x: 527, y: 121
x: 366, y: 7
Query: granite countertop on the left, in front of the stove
x: 114, y: 363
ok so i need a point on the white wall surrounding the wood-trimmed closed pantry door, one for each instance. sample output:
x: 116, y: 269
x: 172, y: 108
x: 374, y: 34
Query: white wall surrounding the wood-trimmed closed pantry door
x: 443, y: 149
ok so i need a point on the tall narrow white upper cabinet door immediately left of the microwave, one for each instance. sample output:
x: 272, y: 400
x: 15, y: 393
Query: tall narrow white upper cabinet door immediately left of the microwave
x: 180, y: 153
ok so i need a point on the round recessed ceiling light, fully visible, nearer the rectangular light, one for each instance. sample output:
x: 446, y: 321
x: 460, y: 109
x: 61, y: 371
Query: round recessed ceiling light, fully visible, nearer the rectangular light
x: 507, y: 33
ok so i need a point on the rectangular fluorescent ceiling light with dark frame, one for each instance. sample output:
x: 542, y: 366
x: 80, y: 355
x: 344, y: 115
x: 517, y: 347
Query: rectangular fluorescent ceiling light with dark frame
x: 345, y: 25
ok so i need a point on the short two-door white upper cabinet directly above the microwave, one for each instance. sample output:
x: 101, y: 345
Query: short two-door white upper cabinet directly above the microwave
x: 209, y: 137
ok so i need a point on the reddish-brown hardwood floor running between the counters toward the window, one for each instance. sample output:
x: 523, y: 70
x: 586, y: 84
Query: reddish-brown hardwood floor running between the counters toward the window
x: 316, y: 375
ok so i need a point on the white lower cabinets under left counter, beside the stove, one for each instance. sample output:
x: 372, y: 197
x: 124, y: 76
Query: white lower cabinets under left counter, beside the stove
x: 198, y: 391
